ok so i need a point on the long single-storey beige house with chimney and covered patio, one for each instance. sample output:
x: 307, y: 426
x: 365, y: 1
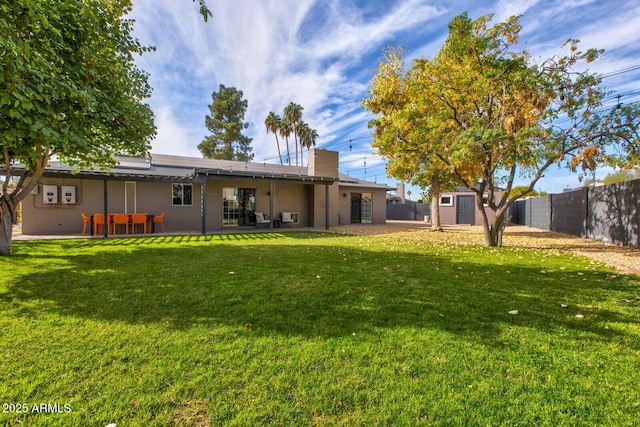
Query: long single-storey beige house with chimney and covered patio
x: 204, y: 195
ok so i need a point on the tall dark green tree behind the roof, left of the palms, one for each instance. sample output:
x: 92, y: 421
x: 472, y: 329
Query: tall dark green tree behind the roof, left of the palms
x: 226, y: 124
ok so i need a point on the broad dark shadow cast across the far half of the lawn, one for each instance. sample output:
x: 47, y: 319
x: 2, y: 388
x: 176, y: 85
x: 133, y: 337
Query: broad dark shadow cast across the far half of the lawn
x: 314, y: 285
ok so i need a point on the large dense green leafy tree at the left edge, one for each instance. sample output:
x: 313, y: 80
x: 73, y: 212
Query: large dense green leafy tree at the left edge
x: 69, y: 88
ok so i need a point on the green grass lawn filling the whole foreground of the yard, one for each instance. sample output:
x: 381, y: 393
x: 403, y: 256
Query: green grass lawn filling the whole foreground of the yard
x: 313, y: 329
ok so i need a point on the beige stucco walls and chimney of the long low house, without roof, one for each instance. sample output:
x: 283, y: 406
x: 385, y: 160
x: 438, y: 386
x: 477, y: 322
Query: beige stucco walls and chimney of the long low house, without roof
x: 308, y: 200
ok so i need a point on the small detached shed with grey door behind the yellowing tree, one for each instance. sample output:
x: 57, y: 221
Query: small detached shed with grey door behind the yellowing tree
x: 459, y: 207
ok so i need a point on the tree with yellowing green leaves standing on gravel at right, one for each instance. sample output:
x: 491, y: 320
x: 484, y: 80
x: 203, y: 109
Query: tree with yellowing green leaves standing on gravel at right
x: 490, y: 114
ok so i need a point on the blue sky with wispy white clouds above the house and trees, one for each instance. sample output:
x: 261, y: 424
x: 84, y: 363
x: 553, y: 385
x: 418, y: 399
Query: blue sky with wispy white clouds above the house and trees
x: 321, y: 54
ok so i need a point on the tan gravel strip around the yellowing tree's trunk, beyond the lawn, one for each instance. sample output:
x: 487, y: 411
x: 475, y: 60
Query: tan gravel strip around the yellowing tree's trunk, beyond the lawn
x: 624, y: 260
